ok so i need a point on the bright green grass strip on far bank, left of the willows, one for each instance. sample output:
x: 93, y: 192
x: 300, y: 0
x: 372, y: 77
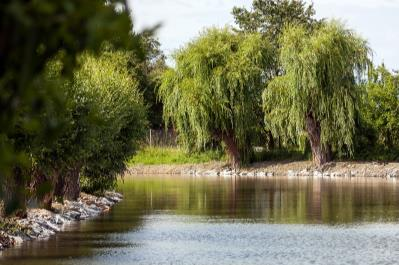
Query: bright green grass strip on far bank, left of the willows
x: 173, y: 156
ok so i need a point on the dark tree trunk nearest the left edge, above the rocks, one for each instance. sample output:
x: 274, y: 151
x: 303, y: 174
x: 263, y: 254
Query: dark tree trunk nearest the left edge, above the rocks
x: 15, y: 194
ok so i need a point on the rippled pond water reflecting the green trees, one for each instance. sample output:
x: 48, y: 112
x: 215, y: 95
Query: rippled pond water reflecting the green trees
x: 189, y: 220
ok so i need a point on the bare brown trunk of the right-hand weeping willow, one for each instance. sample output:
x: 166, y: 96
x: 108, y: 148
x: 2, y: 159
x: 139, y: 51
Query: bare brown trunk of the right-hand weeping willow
x: 320, y: 154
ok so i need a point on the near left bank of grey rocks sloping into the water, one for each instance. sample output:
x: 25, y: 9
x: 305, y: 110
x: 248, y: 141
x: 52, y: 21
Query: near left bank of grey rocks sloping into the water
x: 41, y: 223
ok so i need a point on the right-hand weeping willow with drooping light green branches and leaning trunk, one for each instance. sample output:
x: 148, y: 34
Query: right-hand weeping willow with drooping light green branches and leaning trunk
x: 320, y: 90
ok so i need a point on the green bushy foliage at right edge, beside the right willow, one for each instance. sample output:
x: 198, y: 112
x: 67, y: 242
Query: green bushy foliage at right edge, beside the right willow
x: 378, y: 133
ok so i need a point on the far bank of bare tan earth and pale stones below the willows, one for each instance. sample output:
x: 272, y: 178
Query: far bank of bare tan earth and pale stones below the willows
x: 270, y: 168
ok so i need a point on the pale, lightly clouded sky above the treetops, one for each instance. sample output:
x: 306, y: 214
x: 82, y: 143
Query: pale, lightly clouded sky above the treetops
x: 182, y: 20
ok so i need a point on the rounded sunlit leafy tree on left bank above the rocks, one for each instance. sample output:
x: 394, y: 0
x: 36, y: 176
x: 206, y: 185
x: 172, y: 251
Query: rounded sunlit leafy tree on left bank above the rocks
x: 104, y: 120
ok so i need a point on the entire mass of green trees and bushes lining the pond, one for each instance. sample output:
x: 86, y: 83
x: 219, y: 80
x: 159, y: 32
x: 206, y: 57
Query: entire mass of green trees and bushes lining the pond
x: 80, y: 88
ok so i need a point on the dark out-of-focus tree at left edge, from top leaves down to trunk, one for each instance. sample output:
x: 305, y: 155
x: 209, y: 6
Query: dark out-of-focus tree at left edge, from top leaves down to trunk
x: 32, y: 33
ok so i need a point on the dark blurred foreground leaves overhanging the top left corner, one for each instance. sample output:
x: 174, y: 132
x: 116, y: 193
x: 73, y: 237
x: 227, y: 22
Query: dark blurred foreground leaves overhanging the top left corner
x: 32, y: 32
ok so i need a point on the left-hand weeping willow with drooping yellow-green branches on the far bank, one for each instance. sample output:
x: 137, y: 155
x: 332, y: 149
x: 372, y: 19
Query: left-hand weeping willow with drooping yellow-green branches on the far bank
x: 214, y: 92
